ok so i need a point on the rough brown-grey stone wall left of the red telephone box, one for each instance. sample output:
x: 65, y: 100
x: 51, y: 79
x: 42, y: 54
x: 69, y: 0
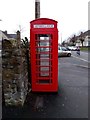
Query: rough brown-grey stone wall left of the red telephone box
x: 14, y: 74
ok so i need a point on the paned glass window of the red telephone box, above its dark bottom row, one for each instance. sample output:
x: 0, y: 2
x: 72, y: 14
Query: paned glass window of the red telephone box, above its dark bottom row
x: 43, y: 51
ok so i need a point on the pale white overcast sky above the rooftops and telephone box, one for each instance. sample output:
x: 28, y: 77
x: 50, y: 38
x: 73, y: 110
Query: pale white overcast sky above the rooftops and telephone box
x: 72, y: 16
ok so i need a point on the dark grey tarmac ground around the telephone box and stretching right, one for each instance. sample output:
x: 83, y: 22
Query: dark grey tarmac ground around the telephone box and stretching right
x: 71, y: 101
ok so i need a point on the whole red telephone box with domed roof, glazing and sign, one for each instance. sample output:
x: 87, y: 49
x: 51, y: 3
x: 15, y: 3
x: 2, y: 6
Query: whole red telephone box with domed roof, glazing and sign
x: 44, y: 55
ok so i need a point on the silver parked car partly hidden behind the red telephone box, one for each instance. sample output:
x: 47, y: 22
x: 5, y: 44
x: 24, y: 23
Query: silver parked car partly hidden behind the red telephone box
x: 62, y: 51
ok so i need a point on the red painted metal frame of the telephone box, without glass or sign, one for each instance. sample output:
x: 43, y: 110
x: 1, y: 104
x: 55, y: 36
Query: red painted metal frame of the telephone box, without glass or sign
x: 51, y: 84
